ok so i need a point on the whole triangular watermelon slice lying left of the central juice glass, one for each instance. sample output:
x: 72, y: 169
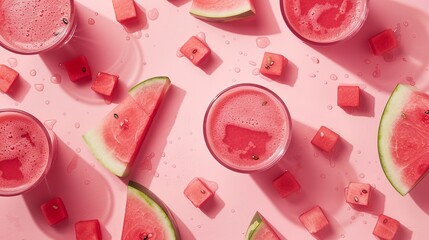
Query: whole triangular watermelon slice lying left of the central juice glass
x: 117, y: 140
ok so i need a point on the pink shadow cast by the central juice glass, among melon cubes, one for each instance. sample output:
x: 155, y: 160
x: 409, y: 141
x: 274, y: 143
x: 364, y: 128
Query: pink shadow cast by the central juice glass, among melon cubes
x: 322, y: 180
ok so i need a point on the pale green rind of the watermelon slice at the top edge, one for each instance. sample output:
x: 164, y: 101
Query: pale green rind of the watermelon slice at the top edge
x: 224, y: 16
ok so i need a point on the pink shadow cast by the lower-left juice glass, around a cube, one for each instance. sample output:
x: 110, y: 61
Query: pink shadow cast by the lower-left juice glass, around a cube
x: 84, y: 191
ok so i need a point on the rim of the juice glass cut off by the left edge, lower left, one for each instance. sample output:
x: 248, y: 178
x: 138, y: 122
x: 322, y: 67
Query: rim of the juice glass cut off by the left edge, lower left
x: 22, y: 189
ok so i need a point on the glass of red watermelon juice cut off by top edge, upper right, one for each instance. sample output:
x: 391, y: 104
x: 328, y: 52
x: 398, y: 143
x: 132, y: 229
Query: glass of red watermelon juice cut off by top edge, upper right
x: 324, y: 22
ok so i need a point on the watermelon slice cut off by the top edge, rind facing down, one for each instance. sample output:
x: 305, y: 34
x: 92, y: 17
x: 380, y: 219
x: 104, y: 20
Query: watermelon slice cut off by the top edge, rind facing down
x: 222, y: 10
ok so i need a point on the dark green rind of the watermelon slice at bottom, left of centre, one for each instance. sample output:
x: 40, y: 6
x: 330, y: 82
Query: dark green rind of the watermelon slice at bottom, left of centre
x: 158, y: 207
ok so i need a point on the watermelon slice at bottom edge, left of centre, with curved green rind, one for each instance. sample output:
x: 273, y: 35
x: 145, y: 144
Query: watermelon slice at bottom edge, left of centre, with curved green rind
x: 146, y: 216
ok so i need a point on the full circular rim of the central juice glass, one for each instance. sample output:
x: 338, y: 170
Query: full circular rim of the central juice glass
x: 267, y: 163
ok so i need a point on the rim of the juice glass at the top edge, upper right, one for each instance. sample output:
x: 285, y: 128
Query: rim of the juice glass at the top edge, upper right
x: 350, y: 33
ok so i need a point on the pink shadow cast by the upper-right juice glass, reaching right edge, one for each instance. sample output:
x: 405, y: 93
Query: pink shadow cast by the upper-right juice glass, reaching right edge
x: 410, y: 59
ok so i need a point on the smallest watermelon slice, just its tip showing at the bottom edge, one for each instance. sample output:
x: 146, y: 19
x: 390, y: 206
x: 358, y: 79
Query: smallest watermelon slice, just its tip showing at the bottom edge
x: 260, y: 229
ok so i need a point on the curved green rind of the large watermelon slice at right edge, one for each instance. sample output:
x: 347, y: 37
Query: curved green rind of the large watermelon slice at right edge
x: 392, y: 112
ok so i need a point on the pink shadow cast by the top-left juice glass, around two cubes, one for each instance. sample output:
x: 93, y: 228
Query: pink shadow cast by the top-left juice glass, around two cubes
x: 121, y: 55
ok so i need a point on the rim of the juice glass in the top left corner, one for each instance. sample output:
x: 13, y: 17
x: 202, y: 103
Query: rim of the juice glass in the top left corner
x: 60, y: 41
